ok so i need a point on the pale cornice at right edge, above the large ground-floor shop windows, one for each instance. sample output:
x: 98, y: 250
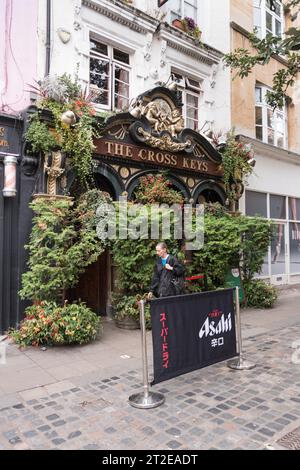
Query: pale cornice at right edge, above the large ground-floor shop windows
x: 270, y: 151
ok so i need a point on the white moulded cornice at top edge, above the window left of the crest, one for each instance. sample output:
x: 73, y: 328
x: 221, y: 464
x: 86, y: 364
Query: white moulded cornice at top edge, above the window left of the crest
x: 124, y: 14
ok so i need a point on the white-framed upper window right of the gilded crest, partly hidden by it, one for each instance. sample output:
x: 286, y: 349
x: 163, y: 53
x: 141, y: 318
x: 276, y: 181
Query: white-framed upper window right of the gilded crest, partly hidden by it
x: 189, y: 91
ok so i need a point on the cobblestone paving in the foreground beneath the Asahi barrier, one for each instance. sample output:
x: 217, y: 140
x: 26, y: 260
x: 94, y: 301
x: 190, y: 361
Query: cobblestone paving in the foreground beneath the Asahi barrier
x: 213, y: 408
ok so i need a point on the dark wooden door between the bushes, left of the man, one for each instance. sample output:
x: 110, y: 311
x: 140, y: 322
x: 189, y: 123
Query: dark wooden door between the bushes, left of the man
x: 93, y: 285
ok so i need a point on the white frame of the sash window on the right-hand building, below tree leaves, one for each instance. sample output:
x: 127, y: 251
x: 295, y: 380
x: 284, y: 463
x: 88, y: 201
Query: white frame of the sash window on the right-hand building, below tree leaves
x: 265, y: 112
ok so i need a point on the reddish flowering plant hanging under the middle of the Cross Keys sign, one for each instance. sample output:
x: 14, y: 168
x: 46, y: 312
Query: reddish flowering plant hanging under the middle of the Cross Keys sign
x: 156, y: 189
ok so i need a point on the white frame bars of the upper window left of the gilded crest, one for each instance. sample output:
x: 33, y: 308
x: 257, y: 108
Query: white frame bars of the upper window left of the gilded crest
x: 112, y: 63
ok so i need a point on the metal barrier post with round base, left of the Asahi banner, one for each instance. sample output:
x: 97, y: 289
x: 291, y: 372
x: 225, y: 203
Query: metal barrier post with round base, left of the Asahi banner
x: 145, y: 399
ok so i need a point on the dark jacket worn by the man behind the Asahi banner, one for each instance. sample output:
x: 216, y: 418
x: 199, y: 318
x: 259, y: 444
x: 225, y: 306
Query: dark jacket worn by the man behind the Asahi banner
x: 161, y: 284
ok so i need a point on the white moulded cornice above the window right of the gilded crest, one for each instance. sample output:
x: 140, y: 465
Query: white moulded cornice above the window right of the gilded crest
x: 181, y: 42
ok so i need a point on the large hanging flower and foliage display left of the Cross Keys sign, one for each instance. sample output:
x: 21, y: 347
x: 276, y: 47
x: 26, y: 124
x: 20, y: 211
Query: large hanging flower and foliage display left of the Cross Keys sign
x: 72, y: 126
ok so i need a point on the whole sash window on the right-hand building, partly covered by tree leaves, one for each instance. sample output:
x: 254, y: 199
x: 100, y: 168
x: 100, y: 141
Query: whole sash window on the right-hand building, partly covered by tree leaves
x: 270, y: 124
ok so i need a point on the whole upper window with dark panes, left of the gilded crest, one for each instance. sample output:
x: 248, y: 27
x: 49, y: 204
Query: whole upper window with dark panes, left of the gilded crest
x: 109, y: 76
